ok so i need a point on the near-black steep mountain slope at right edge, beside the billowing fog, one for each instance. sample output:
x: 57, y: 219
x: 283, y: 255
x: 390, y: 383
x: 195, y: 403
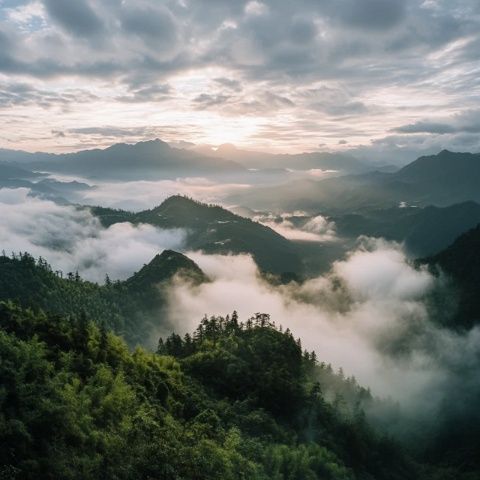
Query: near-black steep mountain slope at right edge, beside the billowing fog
x: 461, y: 263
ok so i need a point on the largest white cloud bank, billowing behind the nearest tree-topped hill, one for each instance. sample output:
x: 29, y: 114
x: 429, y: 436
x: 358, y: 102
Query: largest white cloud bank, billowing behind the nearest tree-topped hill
x: 369, y: 315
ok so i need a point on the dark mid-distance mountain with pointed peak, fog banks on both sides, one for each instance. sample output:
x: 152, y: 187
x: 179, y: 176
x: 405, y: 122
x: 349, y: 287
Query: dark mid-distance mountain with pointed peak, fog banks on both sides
x: 215, y: 230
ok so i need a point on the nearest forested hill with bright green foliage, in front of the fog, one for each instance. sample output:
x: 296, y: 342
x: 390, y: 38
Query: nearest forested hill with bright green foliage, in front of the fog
x: 234, y: 401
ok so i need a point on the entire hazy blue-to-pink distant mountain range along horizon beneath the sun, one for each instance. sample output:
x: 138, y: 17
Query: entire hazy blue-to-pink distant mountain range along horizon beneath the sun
x: 156, y: 159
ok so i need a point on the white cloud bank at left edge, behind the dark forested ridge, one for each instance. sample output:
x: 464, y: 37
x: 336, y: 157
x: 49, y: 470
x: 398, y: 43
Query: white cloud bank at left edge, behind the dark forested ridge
x: 73, y: 239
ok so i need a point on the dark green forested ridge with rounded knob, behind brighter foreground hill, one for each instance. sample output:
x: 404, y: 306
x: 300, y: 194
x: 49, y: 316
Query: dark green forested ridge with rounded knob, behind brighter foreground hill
x: 132, y: 308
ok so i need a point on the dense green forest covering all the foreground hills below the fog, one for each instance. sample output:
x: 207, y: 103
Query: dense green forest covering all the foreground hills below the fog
x: 232, y: 399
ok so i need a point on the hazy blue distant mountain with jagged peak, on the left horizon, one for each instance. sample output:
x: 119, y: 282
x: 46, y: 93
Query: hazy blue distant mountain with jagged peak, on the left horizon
x: 141, y: 161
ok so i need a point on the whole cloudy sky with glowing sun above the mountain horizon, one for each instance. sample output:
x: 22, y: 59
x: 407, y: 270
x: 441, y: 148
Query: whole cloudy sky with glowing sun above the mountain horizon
x: 278, y: 75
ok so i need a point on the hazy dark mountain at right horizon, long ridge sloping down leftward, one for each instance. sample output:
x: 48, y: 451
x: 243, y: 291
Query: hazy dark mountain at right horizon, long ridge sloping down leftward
x: 440, y: 180
